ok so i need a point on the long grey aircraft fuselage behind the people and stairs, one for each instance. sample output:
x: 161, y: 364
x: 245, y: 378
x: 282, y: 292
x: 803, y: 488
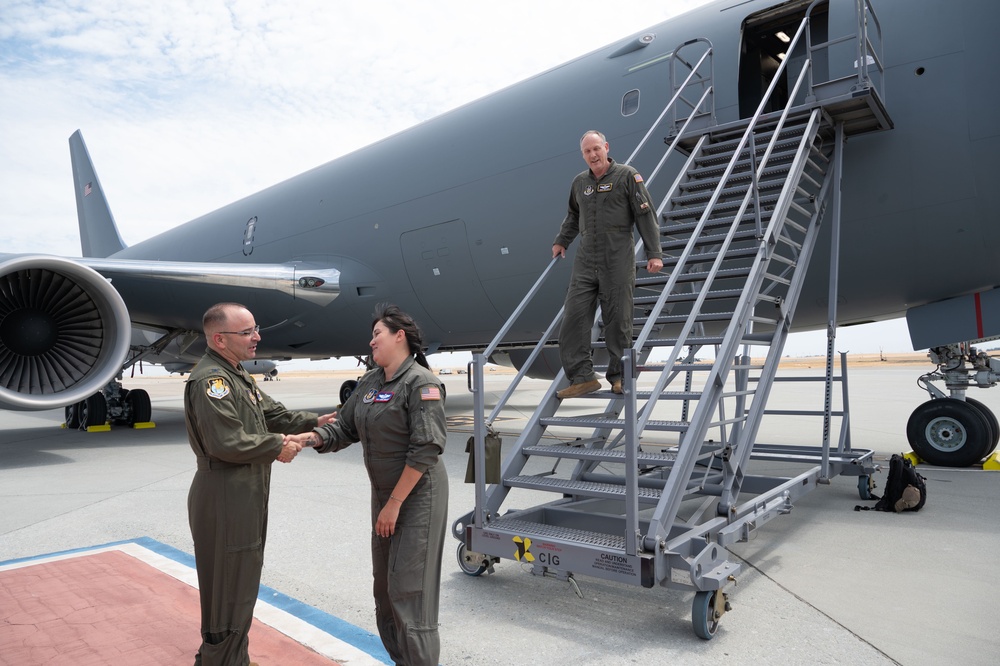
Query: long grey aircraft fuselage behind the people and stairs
x: 453, y: 220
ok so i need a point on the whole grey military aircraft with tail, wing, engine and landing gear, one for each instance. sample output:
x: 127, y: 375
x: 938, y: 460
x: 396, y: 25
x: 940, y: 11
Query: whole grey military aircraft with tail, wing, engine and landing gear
x: 453, y: 219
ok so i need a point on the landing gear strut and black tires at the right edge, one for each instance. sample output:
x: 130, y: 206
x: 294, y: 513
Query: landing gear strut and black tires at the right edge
x: 953, y: 430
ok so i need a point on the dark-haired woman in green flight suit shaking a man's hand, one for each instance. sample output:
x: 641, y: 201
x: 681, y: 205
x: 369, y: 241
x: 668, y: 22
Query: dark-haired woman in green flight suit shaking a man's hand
x: 397, y: 413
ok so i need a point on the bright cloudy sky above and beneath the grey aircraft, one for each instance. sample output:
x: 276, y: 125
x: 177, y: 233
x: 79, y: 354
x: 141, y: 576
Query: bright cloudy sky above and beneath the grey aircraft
x: 188, y: 105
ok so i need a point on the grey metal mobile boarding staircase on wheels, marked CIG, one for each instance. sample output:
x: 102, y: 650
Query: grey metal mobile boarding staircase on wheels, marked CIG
x: 738, y: 228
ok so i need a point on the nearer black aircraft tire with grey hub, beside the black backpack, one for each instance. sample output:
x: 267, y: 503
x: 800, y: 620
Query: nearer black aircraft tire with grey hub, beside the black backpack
x: 948, y: 432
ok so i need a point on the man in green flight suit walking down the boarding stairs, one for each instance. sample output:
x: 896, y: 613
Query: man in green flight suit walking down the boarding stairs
x: 606, y: 202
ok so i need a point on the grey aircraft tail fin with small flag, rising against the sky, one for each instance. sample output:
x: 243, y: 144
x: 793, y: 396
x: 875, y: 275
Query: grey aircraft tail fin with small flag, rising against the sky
x: 99, y: 235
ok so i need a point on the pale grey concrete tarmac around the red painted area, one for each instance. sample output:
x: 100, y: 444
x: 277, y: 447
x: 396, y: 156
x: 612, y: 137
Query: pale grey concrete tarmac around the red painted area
x: 822, y: 585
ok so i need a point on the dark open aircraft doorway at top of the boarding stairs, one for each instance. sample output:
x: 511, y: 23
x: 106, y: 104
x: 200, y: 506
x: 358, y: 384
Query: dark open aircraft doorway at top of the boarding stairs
x: 766, y: 36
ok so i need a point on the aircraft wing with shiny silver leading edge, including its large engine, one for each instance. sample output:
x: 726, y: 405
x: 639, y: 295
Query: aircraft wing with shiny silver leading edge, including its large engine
x: 67, y: 331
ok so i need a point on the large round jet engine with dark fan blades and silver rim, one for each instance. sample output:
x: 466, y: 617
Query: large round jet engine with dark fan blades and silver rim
x: 64, y: 332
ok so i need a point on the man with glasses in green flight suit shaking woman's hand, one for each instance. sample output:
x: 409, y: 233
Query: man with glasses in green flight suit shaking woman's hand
x: 236, y: 432
